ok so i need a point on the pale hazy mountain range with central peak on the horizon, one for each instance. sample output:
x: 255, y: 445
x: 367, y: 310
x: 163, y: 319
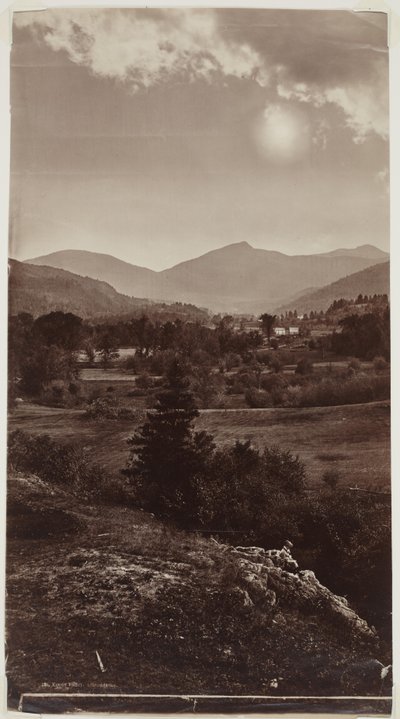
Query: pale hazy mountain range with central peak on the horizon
x: 235, y: 278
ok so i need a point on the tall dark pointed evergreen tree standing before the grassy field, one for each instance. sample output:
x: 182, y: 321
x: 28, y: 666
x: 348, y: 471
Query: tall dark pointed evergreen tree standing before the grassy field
x: 167, y: 455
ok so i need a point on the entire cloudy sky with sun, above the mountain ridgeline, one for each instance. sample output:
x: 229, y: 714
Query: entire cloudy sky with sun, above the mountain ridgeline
x: 158, y: 135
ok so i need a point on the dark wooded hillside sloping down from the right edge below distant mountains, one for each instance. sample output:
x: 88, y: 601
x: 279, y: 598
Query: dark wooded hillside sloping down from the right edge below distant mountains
x: 372, y: 280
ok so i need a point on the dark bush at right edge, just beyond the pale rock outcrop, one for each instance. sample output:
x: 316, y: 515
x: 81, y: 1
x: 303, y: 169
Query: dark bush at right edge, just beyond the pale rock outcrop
x: 349, y: 536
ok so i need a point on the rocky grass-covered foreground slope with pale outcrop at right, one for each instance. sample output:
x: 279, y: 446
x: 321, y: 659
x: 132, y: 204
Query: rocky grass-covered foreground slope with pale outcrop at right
x: 107, y: 599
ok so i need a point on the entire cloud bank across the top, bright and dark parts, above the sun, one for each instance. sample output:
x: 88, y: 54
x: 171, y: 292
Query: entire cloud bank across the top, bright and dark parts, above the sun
x: 313, y: 58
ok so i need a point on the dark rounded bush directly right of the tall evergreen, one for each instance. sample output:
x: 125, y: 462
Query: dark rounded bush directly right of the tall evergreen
x: 250, y: 494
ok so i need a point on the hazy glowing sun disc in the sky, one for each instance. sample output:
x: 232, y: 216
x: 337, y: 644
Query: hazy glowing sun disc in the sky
x: 283, y: 134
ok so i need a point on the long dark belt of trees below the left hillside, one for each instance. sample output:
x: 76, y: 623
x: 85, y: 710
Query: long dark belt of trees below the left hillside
x: 45, y: 349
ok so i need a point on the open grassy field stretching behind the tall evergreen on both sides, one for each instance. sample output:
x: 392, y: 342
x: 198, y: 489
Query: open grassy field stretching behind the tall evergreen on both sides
x: 352, y: 439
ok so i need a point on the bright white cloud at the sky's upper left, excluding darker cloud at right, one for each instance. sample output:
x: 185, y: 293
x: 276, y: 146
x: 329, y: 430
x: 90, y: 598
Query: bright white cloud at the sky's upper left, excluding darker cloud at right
x: 145, y: 48
